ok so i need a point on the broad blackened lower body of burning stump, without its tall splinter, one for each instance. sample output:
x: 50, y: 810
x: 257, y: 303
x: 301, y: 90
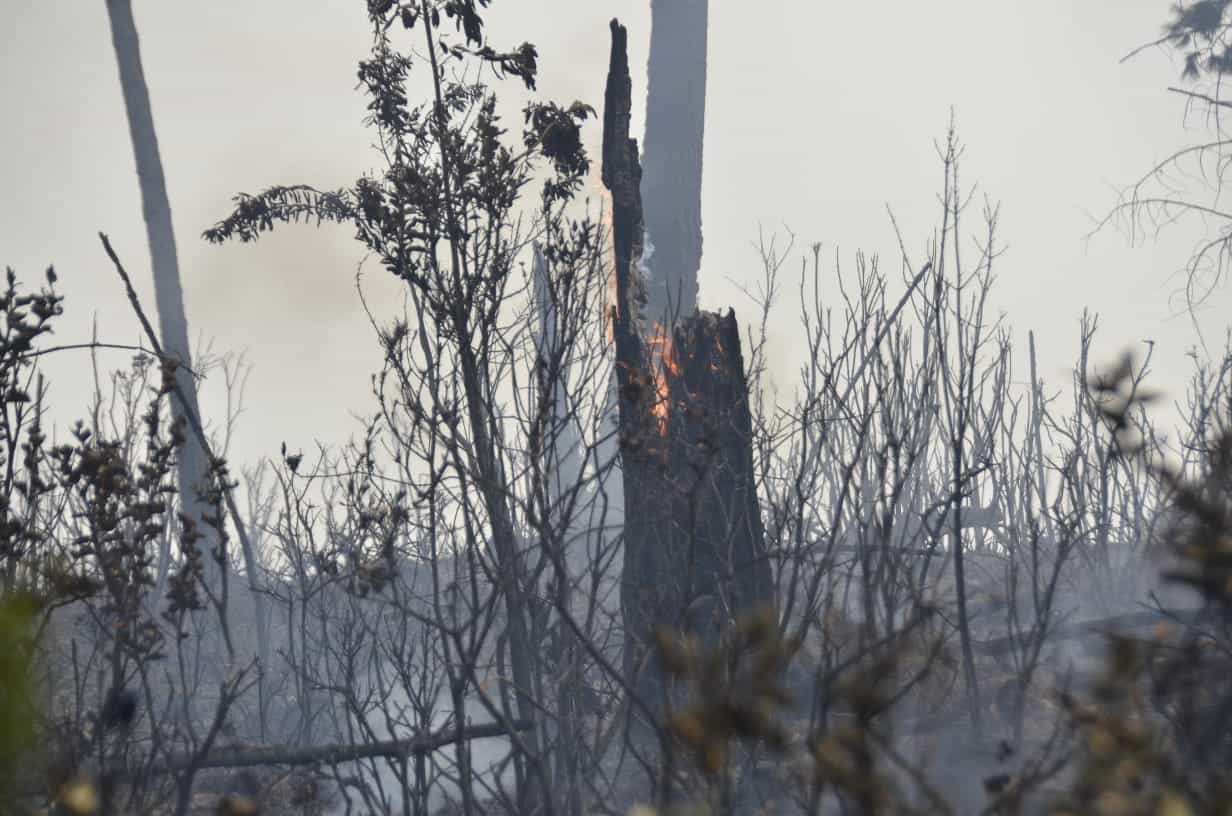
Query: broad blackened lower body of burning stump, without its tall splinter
x: 694, y: 543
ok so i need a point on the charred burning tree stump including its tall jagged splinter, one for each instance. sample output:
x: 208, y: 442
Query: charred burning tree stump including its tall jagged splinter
x: 694, y: 538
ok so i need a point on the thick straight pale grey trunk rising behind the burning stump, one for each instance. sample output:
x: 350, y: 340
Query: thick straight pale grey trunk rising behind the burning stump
x: 676, y: 119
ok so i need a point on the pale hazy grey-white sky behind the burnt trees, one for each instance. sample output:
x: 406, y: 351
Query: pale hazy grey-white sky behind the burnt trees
x: 819, y: 116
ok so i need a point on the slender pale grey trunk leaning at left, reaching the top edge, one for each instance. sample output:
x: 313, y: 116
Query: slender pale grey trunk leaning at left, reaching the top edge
x: 169, y: 294
